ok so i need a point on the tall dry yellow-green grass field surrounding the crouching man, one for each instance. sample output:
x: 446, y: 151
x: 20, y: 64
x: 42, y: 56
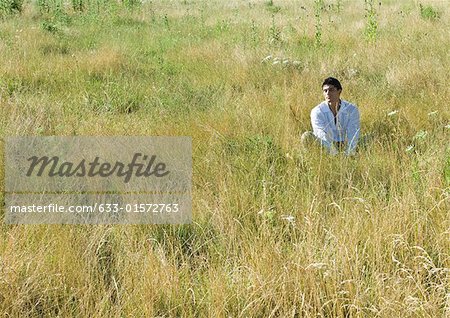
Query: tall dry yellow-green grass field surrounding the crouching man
x: 277, y: 231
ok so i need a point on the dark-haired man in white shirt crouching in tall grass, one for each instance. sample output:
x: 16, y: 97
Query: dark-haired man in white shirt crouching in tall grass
x: 335, y: 122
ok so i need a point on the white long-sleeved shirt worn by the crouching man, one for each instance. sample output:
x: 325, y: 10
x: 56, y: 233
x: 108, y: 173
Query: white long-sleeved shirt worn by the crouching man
x: 346, y: 128
